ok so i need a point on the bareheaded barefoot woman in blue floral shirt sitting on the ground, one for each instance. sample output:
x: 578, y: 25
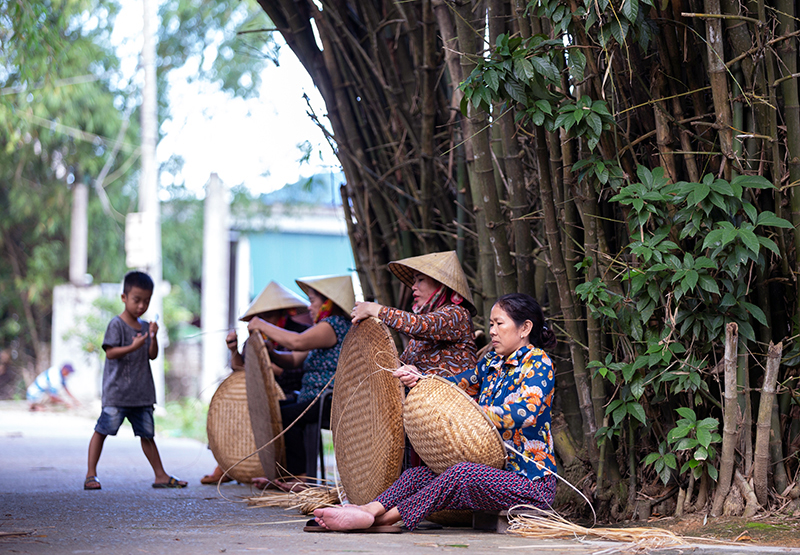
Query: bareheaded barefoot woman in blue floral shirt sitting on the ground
x: 513, y: 384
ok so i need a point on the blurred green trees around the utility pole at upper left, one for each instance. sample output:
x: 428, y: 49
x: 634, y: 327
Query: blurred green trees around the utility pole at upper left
x: 68, y: 114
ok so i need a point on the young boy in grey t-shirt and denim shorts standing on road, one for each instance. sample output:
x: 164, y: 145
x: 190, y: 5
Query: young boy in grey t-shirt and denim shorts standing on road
x: 128, y: 388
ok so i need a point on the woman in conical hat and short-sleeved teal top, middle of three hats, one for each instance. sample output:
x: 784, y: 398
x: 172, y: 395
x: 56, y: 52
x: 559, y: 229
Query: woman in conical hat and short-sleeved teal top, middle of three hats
x: 316, y: 349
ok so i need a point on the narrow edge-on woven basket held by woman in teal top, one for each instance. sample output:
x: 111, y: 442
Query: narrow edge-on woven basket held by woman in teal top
x: 263, y: 396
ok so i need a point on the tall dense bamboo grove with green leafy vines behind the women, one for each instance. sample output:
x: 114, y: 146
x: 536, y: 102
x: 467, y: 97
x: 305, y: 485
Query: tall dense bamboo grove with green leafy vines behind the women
x: 637, y: 157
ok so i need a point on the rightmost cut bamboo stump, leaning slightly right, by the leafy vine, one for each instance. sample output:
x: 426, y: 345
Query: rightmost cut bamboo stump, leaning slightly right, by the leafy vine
x: 764, y: 426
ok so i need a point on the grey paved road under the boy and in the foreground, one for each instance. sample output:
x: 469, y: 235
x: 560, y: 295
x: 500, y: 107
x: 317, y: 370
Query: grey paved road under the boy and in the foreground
x: 43, y: 458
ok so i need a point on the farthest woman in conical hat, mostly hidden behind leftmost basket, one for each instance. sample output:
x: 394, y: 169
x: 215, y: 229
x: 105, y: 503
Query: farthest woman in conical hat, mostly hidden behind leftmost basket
x: 281, y: 307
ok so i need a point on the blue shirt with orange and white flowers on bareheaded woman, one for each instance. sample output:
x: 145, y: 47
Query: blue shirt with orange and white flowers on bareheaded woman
x: 516, y: 394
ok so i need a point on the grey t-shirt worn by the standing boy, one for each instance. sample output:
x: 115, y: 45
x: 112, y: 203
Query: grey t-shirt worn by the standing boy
x: 127, y: 381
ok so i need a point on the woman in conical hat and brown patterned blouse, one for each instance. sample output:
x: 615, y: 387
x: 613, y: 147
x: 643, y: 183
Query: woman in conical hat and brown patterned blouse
x: 440, y: 323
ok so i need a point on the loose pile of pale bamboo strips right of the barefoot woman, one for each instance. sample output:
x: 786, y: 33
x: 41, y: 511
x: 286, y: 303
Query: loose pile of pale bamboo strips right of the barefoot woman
x: 553, y: 526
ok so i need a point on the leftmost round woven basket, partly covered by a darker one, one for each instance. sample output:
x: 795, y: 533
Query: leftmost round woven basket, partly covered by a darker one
x: 230, y: 435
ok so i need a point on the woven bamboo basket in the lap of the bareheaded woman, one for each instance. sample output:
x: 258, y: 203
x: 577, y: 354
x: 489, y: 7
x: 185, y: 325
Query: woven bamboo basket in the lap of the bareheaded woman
x: 447, y: 427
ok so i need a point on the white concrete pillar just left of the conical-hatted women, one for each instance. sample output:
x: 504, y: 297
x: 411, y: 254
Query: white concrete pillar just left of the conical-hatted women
x: 215, y: 288
